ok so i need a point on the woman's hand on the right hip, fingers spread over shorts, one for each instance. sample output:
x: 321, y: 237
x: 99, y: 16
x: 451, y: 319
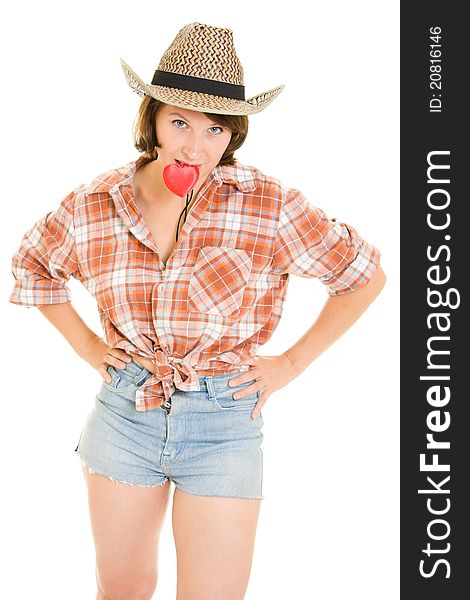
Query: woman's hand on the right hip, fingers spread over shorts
x: 271, y: 373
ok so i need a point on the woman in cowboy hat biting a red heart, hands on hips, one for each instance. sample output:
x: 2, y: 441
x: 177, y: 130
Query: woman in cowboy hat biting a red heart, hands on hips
x: 187, y: 291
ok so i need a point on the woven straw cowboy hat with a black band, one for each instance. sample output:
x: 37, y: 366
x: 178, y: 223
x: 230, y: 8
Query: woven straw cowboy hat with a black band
x: 201, y: 71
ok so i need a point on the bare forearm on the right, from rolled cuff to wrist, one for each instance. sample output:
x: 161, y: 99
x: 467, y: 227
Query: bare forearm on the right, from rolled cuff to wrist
x: 336, y: 317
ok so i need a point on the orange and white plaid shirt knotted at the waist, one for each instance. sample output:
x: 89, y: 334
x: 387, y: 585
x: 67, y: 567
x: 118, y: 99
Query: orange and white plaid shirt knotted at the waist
x: 221, y: 294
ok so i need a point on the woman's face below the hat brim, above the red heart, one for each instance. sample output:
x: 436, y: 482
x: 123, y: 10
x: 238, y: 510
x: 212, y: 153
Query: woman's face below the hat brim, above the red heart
x: 191, y: 137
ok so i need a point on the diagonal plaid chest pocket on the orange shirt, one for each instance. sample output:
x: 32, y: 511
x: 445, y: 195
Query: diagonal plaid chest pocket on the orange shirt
x: 218, y: 280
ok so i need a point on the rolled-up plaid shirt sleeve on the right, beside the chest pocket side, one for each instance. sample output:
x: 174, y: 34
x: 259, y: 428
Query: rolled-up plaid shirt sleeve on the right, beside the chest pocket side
x: 310, y: 244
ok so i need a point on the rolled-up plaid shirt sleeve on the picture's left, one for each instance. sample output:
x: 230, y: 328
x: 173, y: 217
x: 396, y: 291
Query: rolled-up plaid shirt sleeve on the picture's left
x: 46, y: 258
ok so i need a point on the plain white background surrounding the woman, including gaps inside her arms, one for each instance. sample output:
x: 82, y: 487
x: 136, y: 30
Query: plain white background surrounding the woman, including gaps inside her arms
x: 329, y: 523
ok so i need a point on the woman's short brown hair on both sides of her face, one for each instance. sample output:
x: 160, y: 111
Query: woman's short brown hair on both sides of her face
x: 145, y: 135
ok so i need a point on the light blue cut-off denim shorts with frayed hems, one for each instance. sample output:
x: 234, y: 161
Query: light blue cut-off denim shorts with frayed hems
x: 204, y: 441
